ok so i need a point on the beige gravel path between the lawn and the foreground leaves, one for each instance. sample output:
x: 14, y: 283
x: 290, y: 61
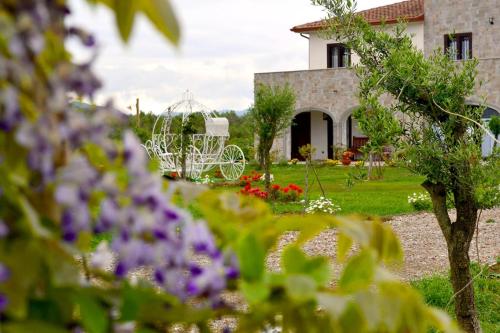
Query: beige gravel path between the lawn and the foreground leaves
x: 423, y: 244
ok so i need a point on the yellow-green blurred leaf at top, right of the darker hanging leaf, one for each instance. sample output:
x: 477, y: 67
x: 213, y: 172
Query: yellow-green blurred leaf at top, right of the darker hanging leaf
x: 161, y: 15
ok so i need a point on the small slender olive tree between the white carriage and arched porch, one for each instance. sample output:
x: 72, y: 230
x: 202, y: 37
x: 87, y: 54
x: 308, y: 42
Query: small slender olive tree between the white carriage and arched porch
x: 271, y: 114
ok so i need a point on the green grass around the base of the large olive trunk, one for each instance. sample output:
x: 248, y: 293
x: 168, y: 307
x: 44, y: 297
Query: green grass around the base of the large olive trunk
x: 437, y: 291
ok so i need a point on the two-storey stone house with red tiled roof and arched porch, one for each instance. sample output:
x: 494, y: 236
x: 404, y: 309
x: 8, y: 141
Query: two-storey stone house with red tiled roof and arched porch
x: 327, y: 92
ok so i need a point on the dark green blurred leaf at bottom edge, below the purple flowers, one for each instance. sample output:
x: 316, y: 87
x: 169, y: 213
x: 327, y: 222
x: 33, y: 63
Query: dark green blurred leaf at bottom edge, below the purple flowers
x: 93, y: 314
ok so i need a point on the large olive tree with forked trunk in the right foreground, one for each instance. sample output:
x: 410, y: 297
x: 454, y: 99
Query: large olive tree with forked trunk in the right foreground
x: 442, y: 135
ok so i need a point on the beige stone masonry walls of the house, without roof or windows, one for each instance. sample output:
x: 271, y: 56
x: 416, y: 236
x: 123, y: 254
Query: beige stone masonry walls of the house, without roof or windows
x: 334, y: 91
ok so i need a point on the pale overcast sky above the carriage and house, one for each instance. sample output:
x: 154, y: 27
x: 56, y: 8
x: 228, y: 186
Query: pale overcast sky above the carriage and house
x: 223, y: 43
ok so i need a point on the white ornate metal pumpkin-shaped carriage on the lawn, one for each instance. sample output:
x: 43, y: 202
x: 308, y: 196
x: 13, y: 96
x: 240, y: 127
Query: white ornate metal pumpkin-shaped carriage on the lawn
x: 203, y: 151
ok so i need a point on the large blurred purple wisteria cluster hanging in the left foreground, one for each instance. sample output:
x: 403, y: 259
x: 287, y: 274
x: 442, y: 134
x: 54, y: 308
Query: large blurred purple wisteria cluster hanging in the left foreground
x: 128, y: 202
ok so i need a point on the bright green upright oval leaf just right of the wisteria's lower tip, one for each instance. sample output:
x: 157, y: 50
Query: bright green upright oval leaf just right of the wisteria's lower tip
x: 251, y: 255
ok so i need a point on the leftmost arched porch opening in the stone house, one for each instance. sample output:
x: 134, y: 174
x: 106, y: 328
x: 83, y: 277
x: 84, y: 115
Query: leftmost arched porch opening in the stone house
x: 314, y: 128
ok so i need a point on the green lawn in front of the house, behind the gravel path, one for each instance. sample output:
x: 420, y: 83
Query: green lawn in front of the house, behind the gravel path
x: 386, y: 197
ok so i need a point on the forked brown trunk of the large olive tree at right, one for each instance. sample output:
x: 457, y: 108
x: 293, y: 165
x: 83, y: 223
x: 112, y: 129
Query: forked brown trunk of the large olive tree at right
x: 458, y: 236
